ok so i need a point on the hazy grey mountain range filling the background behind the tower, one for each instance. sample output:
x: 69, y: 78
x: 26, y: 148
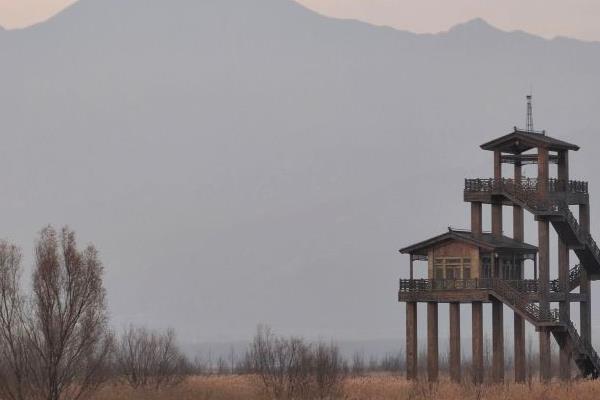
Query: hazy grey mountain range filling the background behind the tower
x: 240, y: 162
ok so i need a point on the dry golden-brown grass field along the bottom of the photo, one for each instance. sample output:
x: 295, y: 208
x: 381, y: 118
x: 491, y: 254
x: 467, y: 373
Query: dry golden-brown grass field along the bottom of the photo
x: 379, y: 387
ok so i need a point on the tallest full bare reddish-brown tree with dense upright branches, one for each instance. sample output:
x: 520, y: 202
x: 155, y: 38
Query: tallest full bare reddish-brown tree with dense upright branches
x: 67, y: 329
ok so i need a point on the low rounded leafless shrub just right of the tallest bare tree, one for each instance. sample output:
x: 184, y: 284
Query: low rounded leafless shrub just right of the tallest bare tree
x: 150, y: 359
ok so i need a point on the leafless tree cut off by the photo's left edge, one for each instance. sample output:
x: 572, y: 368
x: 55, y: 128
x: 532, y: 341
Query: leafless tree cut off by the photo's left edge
x: 14, y: 382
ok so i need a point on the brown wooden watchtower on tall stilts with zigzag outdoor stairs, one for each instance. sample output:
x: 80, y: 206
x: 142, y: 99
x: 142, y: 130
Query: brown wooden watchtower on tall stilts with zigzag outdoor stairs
x: 479, y: 267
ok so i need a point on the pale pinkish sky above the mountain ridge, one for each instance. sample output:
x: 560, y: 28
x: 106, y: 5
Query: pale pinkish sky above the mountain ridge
x: 548, y: 18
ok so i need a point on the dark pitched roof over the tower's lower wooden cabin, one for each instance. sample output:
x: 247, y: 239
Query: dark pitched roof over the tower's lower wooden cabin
x: 485, y: 240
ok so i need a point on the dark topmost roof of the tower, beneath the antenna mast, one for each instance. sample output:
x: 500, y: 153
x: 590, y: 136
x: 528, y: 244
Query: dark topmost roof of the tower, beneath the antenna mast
x: 520, y: 141
